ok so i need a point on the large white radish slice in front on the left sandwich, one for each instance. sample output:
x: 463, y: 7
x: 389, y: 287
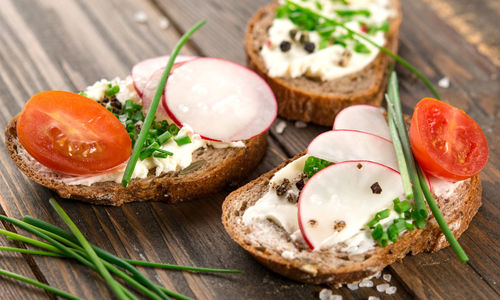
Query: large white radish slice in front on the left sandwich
x: 220, y: 100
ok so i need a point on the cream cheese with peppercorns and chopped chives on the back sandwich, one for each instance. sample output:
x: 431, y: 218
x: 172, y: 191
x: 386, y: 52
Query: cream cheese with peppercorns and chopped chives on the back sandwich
x: 292, y: 52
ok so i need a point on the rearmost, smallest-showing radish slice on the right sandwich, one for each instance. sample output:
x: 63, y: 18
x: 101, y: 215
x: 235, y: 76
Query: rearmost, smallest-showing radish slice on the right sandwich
x: 366, y: 118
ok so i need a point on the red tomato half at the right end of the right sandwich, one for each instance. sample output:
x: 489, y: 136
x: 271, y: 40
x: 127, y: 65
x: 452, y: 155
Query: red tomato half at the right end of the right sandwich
x: 446, y: 142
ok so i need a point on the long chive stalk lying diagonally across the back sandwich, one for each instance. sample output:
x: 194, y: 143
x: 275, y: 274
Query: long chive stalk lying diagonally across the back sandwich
x: 381, y: 48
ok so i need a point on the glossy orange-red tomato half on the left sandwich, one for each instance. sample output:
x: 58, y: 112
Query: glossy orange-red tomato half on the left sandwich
x: 72, y: 134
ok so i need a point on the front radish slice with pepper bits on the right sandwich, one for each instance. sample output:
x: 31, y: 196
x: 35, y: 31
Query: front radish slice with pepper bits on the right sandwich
x: 339, y: 200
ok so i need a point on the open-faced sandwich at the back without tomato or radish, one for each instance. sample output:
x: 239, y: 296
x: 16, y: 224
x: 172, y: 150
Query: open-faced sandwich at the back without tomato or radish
x: 314, y: 65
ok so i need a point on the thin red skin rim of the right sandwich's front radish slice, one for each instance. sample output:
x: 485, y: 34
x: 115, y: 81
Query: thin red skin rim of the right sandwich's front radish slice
x: 324, y: 172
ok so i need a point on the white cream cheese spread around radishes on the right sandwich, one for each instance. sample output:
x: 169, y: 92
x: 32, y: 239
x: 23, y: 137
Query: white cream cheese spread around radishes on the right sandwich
x: 283, y: 213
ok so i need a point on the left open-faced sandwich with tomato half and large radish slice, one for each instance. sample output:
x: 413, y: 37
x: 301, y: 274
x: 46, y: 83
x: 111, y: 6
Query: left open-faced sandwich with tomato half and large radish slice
x: 79, y: 144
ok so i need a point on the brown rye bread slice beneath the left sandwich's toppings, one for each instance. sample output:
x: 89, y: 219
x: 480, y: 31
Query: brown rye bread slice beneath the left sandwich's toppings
x: 219, y: 167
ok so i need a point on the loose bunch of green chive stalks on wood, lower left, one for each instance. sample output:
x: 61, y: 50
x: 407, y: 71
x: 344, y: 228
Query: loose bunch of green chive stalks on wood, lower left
x: 64, y: 244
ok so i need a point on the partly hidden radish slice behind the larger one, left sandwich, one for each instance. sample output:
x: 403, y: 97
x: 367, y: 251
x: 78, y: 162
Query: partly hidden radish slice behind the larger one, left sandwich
x: 142, y: 71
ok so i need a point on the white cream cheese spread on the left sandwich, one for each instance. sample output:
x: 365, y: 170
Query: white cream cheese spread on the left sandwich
x: 182, y: 155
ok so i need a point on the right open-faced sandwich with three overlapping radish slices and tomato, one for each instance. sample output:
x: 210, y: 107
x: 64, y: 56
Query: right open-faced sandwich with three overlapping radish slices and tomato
x: 342, y: 211
